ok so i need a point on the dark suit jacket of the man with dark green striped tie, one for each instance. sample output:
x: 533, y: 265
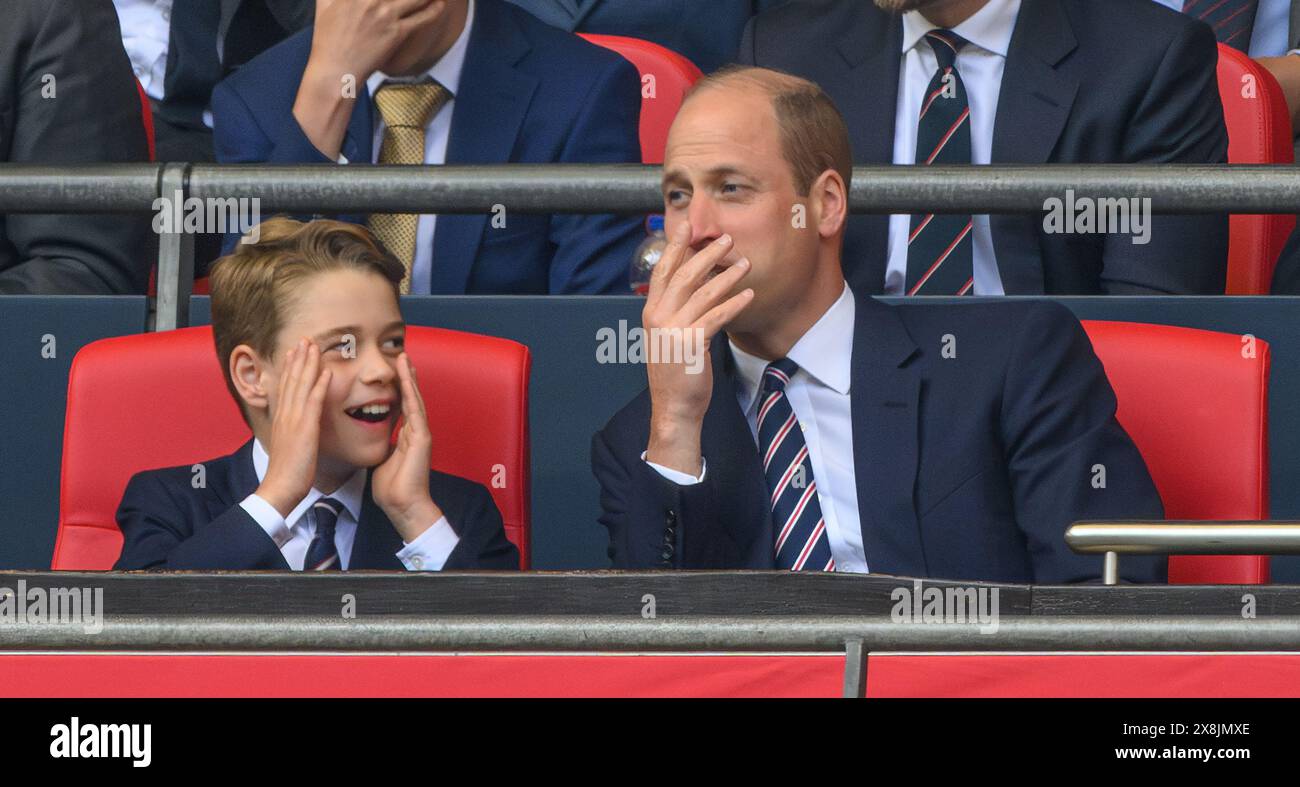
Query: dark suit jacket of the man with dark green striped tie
x: 1086, y: 81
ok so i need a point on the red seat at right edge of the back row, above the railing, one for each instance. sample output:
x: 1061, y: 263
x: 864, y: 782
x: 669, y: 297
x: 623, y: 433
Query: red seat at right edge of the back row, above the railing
x: 1259, y: 132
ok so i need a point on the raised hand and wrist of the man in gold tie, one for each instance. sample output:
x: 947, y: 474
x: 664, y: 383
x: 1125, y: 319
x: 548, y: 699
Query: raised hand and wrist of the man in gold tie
x: 352, y: 40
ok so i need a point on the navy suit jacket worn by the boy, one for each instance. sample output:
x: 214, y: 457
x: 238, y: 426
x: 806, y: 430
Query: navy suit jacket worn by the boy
x: 167, y: 524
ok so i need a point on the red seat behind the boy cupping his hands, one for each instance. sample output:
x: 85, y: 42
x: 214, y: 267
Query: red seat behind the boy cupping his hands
x: 159, y: 400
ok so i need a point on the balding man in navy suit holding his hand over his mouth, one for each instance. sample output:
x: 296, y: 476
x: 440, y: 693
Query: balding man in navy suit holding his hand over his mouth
x: 827, y: 431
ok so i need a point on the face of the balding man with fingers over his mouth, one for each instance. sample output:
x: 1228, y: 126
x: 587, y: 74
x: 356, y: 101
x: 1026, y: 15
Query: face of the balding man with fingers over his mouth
x: 725, y: 175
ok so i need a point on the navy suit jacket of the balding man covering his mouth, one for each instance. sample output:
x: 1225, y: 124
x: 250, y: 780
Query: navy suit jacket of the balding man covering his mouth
x: 968, y: 468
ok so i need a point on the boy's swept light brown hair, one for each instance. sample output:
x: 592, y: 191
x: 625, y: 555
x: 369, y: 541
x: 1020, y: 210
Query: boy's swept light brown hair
x: 254, y: 288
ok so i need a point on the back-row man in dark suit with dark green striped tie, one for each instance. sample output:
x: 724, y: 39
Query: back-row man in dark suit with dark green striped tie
x: 1045, y: 83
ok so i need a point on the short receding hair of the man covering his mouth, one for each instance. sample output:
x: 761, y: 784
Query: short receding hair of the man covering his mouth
x: 814, y: 137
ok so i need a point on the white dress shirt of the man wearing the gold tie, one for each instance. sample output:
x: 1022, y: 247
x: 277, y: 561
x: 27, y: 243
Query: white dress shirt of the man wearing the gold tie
x: 447, y: 72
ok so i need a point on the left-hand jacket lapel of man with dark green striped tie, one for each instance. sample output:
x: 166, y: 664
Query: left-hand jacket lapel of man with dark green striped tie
x: 872, y: 53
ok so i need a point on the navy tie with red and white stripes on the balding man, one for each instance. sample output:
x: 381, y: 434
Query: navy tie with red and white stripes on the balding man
x: 801, y: 542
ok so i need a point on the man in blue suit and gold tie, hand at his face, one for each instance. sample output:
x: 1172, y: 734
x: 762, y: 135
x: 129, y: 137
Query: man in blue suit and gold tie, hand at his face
x: 506, y: 89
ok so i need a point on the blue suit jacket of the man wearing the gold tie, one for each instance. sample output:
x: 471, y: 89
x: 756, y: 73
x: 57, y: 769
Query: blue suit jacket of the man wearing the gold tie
x: 528, y: 94
